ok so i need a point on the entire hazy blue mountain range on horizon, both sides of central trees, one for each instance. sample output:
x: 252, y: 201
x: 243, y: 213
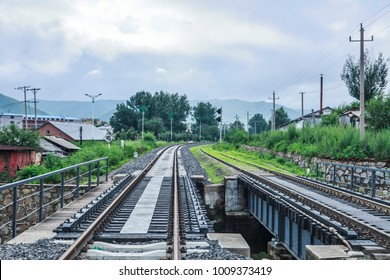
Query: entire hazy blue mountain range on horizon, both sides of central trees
x: 104, y: 109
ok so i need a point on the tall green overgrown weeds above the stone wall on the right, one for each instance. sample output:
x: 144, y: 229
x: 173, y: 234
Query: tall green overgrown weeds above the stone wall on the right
x: 335, y: 142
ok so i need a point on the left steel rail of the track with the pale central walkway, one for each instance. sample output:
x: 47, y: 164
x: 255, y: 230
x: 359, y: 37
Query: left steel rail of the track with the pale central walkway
x: 80, y: 243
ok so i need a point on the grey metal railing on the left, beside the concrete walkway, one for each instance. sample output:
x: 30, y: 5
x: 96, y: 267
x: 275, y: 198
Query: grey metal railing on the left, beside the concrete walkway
x: 32, y: 197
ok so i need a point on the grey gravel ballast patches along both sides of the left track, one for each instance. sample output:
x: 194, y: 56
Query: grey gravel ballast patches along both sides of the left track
x: 46, y: 249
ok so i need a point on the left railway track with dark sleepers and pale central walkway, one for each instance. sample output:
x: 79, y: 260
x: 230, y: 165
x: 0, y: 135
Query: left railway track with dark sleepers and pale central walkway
x: 149, y: 215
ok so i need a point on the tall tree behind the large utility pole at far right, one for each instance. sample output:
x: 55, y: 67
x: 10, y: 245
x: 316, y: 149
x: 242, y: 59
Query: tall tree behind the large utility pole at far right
x: 375, y: 74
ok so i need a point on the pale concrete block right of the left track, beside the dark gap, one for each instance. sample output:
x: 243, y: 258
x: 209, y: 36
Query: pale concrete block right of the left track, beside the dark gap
x: 234, y: 242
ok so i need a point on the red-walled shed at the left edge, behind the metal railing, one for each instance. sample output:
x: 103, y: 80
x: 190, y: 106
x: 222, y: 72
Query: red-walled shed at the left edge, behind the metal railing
x: 13, y: 158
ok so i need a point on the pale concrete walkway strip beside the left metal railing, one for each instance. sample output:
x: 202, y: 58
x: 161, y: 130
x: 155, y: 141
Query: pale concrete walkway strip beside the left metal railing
x: 45, y: 228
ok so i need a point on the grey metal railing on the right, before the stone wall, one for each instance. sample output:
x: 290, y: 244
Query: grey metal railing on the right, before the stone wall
x: 367, y: 180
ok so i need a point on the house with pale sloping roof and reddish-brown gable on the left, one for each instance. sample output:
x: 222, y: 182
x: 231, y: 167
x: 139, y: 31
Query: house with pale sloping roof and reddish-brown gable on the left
x: 72, y: 131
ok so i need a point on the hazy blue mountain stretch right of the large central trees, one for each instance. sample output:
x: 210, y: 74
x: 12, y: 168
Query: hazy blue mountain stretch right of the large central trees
x: 233, y: 107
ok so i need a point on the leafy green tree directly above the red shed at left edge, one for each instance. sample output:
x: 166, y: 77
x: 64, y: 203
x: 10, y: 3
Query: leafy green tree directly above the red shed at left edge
x: 15, y: 136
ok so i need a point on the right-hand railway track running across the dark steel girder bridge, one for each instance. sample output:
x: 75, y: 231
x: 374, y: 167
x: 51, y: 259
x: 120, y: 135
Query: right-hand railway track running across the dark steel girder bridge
x: 370, y: 218
